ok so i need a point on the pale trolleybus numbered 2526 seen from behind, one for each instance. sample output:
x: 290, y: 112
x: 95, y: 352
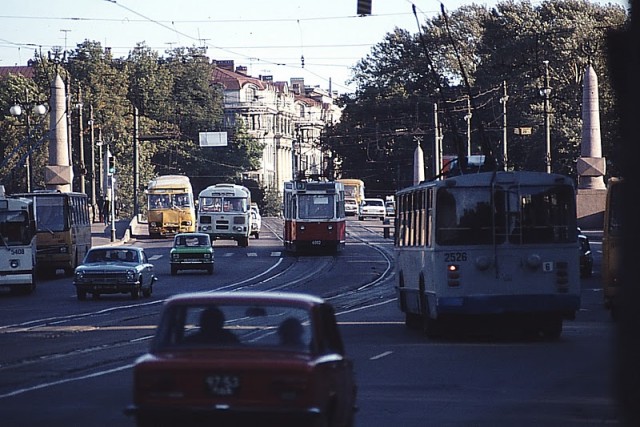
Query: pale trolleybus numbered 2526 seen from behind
x: 499, y: 246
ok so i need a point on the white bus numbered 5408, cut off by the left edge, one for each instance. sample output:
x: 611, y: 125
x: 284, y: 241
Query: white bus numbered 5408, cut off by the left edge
x: 17, y: 244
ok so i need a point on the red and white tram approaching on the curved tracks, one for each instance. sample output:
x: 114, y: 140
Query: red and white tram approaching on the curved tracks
x: 314, y: 216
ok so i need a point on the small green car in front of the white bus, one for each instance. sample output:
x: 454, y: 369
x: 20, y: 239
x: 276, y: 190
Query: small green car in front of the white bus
x: 191, y: 251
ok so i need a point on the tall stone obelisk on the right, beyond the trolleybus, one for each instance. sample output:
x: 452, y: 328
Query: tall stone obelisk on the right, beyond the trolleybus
x: 591, y: 166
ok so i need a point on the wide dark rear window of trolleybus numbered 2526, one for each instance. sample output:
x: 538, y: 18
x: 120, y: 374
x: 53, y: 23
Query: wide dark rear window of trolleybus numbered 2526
x: 519, y: 215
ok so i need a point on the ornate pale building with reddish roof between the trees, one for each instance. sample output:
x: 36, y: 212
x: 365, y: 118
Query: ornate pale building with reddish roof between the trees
x: 286, y: 117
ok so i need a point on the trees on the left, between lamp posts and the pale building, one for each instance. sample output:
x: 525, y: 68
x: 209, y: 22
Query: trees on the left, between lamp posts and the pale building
x: 172, y: 98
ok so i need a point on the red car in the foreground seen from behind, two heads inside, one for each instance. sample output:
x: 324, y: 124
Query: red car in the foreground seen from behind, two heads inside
x: 245, y: 358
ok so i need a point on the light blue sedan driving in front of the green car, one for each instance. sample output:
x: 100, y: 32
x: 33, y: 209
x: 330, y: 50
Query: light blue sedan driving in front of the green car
x: 114, y: 269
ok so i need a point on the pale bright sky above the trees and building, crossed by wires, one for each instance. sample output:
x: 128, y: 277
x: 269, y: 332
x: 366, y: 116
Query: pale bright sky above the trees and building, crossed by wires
x: 269, y: 37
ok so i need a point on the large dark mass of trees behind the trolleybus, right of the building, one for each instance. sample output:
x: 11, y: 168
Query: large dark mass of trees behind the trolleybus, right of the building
x: 405, y: 76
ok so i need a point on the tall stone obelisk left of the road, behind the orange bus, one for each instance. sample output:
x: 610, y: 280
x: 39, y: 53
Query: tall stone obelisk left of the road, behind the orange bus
x: 58, y: 174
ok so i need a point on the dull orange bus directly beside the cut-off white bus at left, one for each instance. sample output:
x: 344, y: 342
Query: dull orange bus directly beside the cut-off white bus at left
x: 63, y: 229
